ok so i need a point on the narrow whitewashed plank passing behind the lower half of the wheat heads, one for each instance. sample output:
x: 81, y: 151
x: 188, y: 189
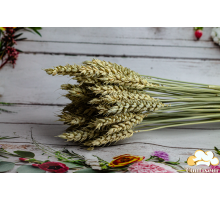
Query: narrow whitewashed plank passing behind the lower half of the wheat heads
x: 47, y: 115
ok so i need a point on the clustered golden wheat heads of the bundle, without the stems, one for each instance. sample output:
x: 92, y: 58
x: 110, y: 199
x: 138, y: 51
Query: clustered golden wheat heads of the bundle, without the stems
x: 107, y: 103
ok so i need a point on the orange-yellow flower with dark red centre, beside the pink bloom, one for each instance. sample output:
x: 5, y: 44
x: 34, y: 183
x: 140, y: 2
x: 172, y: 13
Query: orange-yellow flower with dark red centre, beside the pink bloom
x: 122, y: 160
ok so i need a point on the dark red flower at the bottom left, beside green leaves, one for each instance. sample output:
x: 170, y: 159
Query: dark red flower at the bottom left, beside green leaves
x: 54, y: 167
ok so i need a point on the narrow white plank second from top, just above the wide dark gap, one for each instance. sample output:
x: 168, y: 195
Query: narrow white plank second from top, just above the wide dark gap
x: 121, y: 50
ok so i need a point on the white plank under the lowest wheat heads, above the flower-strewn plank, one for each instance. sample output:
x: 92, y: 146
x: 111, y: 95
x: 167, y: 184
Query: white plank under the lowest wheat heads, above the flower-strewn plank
x: 178, y: 138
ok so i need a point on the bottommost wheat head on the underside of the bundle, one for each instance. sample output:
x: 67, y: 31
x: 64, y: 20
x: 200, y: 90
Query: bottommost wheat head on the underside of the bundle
x: 114, y: 137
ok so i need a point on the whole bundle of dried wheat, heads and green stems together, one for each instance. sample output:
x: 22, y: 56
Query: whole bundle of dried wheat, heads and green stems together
x: 111, y: 102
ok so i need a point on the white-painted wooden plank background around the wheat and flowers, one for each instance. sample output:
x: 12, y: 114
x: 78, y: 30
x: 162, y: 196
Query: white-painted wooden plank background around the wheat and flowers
x: 171, y: 53
